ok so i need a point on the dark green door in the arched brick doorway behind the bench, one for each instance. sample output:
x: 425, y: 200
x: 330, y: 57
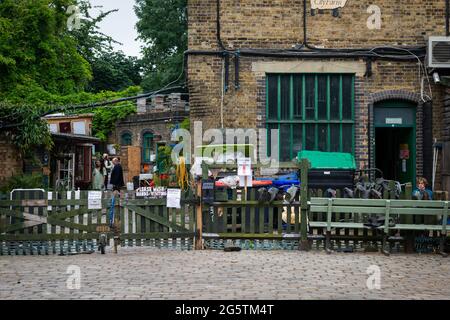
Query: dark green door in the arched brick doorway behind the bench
x: 395, y: 140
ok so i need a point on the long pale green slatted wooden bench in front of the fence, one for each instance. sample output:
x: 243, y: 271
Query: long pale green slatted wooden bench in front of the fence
x: 400, y: 211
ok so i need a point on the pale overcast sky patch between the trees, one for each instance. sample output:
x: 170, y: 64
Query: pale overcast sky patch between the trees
x: 120, y: 25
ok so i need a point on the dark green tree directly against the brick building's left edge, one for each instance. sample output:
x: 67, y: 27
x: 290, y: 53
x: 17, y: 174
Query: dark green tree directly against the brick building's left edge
x: 163, y: 26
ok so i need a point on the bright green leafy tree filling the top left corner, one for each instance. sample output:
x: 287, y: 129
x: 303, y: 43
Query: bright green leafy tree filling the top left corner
x: 36, y: 51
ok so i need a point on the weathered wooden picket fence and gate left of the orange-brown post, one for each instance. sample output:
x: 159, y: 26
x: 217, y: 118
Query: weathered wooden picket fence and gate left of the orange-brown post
x: 39, y: 222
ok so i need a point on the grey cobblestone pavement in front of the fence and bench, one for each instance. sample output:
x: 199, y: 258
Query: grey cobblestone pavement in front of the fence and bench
x: 147, y: 273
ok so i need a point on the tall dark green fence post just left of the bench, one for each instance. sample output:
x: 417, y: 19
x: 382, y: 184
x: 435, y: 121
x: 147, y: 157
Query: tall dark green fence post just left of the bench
x: 304, y: 168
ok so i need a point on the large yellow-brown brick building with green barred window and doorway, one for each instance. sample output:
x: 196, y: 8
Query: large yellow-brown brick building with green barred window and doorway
x: 347, y: 79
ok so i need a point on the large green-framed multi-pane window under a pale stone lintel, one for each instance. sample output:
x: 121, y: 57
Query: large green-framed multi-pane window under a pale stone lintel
x: 313, y: 111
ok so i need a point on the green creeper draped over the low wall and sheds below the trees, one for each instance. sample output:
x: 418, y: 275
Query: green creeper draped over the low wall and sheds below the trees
x: 32, y: 131
